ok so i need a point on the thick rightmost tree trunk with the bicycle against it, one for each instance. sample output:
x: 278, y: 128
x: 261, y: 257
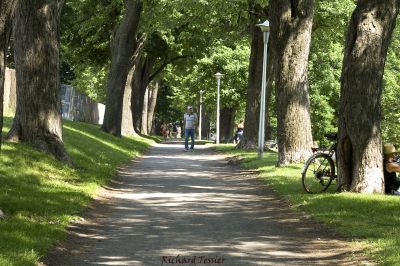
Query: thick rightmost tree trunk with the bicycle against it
x: 359, y: 145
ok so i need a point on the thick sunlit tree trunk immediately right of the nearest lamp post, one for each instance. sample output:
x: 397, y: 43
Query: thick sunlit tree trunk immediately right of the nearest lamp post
x: 291, y: 24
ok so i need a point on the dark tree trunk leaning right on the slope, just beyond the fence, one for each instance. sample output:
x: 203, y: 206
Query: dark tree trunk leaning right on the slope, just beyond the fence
x: 123, y: 47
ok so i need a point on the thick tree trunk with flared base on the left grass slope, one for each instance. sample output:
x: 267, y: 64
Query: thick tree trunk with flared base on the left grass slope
x: 36, y: 40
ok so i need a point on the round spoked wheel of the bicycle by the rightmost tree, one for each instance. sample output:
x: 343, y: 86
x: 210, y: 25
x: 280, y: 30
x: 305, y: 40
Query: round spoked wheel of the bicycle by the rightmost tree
x: 318, y: 173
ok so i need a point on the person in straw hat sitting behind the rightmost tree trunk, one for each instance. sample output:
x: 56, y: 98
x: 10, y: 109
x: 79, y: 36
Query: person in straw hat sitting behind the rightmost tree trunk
x: 390, y: 168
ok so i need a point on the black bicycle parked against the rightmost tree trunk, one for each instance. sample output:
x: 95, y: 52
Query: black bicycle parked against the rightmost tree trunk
x: 319, y: 170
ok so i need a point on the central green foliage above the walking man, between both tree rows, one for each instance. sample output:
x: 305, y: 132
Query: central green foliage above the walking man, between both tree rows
x: 209, y: 36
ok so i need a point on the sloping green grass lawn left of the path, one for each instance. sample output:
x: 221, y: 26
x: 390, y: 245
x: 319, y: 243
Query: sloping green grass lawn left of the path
x: 40, y: 195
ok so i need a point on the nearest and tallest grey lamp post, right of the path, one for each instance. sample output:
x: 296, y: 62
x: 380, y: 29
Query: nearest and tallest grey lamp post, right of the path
x: 265, y: 29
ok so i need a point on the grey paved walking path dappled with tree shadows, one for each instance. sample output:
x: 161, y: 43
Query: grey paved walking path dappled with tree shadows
x: 171, y: 207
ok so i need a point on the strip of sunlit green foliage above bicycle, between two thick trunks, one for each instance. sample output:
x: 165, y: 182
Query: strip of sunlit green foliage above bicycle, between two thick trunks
x: 325, y: 65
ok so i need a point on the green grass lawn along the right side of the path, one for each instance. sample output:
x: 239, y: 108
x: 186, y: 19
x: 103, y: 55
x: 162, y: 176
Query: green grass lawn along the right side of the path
x: 370, y: 220
